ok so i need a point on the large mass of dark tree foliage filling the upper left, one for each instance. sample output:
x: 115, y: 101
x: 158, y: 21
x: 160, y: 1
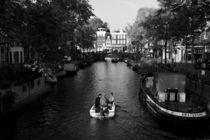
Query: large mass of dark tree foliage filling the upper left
x: 43, y: 25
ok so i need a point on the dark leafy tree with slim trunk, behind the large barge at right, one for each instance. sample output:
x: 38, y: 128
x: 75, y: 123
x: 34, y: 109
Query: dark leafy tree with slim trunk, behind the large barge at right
x: 190, y: 18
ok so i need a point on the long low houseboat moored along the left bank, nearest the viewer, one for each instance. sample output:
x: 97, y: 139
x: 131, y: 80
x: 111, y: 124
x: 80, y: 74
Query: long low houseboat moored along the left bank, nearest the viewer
x: 18, y: 96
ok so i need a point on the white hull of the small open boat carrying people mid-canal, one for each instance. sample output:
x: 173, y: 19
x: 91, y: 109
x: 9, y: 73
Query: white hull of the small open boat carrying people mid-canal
x: 110, y: 114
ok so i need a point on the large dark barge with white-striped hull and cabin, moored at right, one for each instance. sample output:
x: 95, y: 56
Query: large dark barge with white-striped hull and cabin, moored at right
x: 167, y: 99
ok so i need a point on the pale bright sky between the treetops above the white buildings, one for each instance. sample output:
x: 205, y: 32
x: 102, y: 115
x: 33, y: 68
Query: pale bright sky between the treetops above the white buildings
x: 119, y: 13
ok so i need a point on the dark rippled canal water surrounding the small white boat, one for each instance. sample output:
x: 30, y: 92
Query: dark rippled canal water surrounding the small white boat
x: 64, y: 115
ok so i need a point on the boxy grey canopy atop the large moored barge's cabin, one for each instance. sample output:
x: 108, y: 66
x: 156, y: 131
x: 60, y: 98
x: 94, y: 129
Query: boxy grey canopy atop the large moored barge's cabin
x: 170, y: 80
